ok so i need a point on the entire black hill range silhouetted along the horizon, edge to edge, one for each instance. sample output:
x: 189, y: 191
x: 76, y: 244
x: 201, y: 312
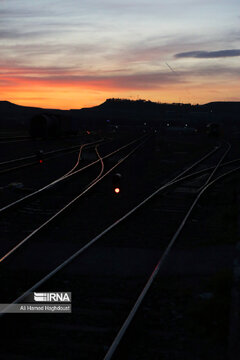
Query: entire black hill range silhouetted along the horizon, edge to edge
x: 126, y: 112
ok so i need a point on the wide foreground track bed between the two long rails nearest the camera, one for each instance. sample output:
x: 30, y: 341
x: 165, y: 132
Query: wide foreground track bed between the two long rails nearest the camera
x: 198, y: 181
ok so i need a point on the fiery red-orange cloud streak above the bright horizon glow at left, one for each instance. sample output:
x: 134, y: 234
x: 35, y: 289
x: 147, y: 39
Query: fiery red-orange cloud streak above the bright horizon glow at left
x: 68, y: 76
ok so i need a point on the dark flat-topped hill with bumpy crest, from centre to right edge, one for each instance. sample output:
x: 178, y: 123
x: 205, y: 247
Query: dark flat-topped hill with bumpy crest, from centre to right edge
x: 137, y: 112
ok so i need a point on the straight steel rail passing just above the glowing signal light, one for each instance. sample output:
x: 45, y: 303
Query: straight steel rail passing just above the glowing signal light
x: 47, y: 222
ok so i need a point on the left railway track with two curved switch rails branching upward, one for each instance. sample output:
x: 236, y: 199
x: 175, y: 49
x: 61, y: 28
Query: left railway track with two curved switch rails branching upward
x: 44, y: 210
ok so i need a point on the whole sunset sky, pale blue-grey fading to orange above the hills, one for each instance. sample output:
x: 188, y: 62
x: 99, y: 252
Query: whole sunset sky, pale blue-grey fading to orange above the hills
x: 74, y: 54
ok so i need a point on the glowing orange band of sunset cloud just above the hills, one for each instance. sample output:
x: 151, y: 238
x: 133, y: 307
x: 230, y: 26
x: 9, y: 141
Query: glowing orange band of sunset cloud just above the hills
x: 66, y: 88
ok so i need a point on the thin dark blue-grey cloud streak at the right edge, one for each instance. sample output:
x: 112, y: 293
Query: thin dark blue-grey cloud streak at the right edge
x: 208, y: 54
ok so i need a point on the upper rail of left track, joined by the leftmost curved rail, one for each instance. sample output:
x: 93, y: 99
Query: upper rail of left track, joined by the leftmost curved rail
x: 63, y: 177
